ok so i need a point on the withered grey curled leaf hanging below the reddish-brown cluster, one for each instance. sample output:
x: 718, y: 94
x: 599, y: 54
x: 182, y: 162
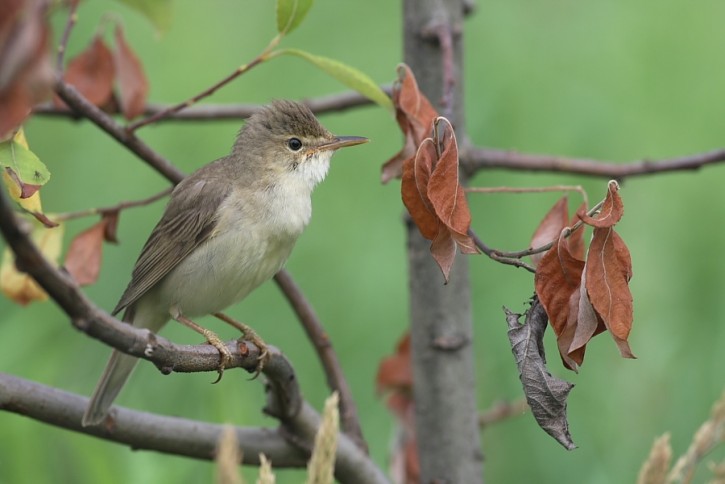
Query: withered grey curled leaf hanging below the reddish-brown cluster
x: 545, y: 393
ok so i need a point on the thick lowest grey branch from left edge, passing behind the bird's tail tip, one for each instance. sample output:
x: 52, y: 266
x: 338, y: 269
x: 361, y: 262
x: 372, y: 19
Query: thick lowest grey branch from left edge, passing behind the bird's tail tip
x: 172, y: 435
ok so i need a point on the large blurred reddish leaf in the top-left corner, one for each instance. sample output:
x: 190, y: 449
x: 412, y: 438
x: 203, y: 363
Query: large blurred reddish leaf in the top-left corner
x: 26, y: 73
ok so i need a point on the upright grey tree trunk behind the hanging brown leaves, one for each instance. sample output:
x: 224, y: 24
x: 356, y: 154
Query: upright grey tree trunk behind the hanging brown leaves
x: 441, y: 323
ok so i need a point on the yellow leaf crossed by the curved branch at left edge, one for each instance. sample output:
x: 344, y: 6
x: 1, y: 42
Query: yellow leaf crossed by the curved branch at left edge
x: 19, y: 286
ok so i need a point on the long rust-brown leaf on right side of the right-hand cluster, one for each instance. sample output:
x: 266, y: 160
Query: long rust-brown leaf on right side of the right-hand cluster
x: 609, y: 269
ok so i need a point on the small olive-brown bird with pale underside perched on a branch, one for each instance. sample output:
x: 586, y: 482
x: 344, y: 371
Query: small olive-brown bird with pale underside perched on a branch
x: 227, y: 228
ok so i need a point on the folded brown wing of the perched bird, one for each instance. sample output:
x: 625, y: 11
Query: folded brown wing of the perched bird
x: 187, y: 223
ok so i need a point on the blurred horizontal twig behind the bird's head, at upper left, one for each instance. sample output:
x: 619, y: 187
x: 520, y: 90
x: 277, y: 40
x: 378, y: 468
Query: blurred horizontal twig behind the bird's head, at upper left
x: 206, y: 112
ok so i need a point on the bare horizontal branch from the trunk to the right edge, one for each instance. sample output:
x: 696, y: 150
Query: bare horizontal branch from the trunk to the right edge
x: 483, y: 158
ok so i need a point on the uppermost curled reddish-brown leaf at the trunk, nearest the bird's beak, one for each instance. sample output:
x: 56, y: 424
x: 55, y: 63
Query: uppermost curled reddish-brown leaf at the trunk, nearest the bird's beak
x: 415, y: 116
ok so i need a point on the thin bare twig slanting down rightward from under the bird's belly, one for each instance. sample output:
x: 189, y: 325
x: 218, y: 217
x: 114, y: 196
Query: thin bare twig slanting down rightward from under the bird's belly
x: 325, y: 352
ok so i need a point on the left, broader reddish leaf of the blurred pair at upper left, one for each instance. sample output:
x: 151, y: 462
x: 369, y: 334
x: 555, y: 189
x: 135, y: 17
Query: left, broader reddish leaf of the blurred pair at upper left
x: 92, y: 73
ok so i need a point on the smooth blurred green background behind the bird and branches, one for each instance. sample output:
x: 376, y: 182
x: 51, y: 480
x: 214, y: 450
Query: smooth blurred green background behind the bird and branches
x: 616, y: 80
